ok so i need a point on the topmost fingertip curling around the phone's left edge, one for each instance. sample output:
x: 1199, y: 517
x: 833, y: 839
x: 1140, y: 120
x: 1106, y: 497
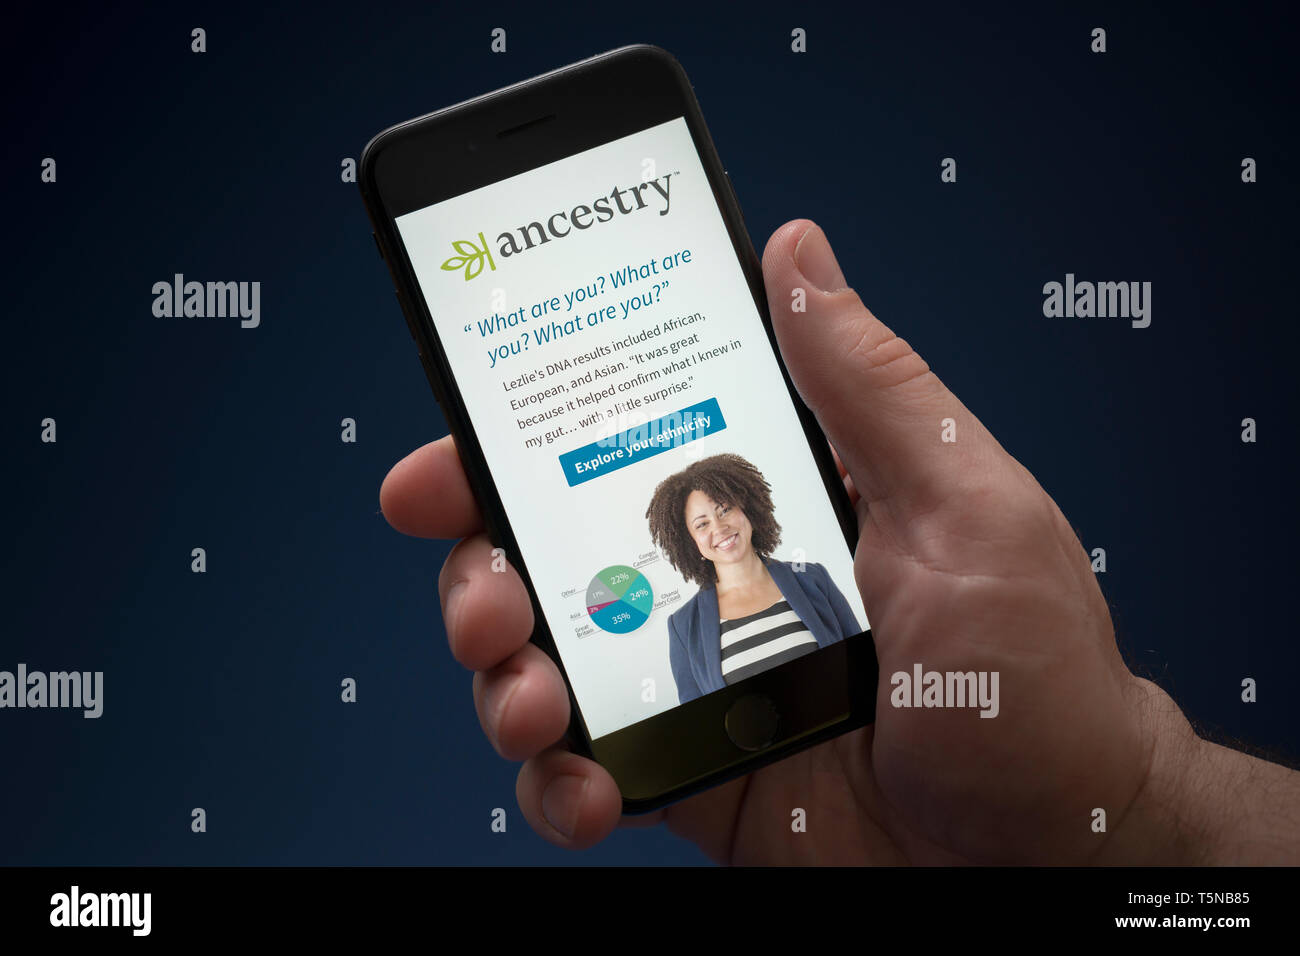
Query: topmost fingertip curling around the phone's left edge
x: 428, y: 495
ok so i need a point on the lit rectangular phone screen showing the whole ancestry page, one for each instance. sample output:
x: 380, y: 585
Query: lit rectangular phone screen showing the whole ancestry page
x: 631, y: 409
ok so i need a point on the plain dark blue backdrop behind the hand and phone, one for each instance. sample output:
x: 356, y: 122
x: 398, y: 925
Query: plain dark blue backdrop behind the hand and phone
x: 223, y: 690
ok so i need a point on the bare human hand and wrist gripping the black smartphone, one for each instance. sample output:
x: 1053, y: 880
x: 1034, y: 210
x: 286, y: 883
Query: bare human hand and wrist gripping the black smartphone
x: 965, y: 564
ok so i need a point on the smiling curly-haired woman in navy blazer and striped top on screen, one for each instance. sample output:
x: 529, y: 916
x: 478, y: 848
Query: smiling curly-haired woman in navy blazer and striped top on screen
x: 714, y: 524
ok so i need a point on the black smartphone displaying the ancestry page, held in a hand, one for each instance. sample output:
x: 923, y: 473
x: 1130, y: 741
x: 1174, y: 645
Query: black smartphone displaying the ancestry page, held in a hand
x: 575, y: 271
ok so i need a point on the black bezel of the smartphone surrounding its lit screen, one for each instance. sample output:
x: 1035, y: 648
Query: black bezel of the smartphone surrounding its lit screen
x: 682, y: 751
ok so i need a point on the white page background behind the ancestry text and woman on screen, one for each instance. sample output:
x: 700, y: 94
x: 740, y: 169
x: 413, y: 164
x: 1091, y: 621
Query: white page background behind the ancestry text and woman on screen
x: 567, y: 535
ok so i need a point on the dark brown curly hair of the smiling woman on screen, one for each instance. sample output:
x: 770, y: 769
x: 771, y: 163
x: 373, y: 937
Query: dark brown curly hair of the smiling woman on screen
x: 729, y: 481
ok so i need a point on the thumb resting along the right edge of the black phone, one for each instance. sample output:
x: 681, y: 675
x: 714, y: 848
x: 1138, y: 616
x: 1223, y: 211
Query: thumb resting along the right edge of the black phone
x: 883, y: 409
